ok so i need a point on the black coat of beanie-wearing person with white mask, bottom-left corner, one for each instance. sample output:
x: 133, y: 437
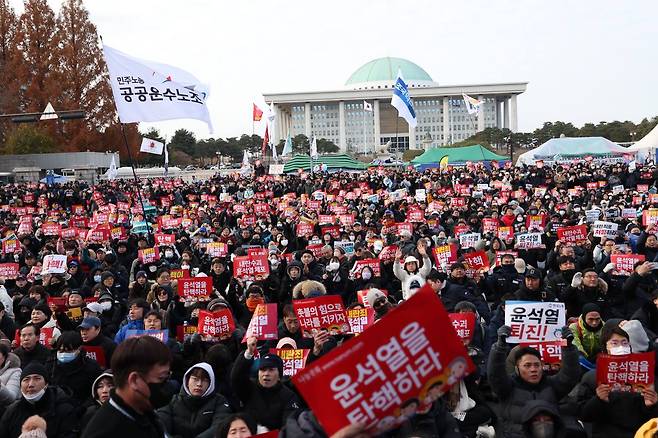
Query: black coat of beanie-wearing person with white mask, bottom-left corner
x: 56, y: 407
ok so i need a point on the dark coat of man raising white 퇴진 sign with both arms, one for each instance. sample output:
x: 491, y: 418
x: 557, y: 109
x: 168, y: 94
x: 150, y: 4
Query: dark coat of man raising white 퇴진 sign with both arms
x: 514, y: 393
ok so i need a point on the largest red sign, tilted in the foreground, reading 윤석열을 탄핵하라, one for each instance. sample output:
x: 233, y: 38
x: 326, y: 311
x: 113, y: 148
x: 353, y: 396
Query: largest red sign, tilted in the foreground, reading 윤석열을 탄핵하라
x: 406, y: 355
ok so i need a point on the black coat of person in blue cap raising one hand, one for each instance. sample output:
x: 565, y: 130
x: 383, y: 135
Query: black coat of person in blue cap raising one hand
x: 270, y: 407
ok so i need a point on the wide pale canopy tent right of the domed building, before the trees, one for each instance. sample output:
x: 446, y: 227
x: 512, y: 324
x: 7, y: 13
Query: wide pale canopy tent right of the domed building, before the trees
x: 570, y: 148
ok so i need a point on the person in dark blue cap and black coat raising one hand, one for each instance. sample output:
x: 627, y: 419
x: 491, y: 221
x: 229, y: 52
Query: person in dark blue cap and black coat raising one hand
x: 265, y: 399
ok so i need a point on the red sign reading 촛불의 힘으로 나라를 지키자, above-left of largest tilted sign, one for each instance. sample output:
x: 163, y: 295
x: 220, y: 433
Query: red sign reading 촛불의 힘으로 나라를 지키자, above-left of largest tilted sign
x: 325, y: 312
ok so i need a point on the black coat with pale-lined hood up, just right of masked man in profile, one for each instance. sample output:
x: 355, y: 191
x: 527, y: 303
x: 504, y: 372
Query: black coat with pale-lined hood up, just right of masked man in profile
x: 188, y: 416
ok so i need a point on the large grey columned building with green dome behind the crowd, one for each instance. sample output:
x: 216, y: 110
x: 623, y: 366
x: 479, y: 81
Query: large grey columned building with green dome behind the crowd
x: 359, y: 117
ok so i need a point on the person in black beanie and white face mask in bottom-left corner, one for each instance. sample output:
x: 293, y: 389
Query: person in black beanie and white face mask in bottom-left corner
x: 38, y: 397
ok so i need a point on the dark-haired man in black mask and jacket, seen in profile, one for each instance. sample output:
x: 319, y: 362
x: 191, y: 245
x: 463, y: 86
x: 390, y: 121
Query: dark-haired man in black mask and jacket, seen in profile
x: 141, y: 370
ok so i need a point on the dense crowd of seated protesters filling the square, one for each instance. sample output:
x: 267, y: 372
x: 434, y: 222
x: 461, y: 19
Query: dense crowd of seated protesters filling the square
x: 197, y: 386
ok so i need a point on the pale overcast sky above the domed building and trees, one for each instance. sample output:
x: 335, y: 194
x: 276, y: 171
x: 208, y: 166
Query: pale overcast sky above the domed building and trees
x: 585, y: 61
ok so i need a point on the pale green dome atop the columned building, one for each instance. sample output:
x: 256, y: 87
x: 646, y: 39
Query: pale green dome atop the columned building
x: 386, y: 69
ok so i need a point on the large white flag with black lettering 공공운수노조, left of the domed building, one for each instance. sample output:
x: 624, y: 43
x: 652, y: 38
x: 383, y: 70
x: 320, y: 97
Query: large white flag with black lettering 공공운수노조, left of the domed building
x: 147, y: 91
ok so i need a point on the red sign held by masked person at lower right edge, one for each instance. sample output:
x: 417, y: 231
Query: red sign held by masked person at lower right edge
x: 630, y: 372
